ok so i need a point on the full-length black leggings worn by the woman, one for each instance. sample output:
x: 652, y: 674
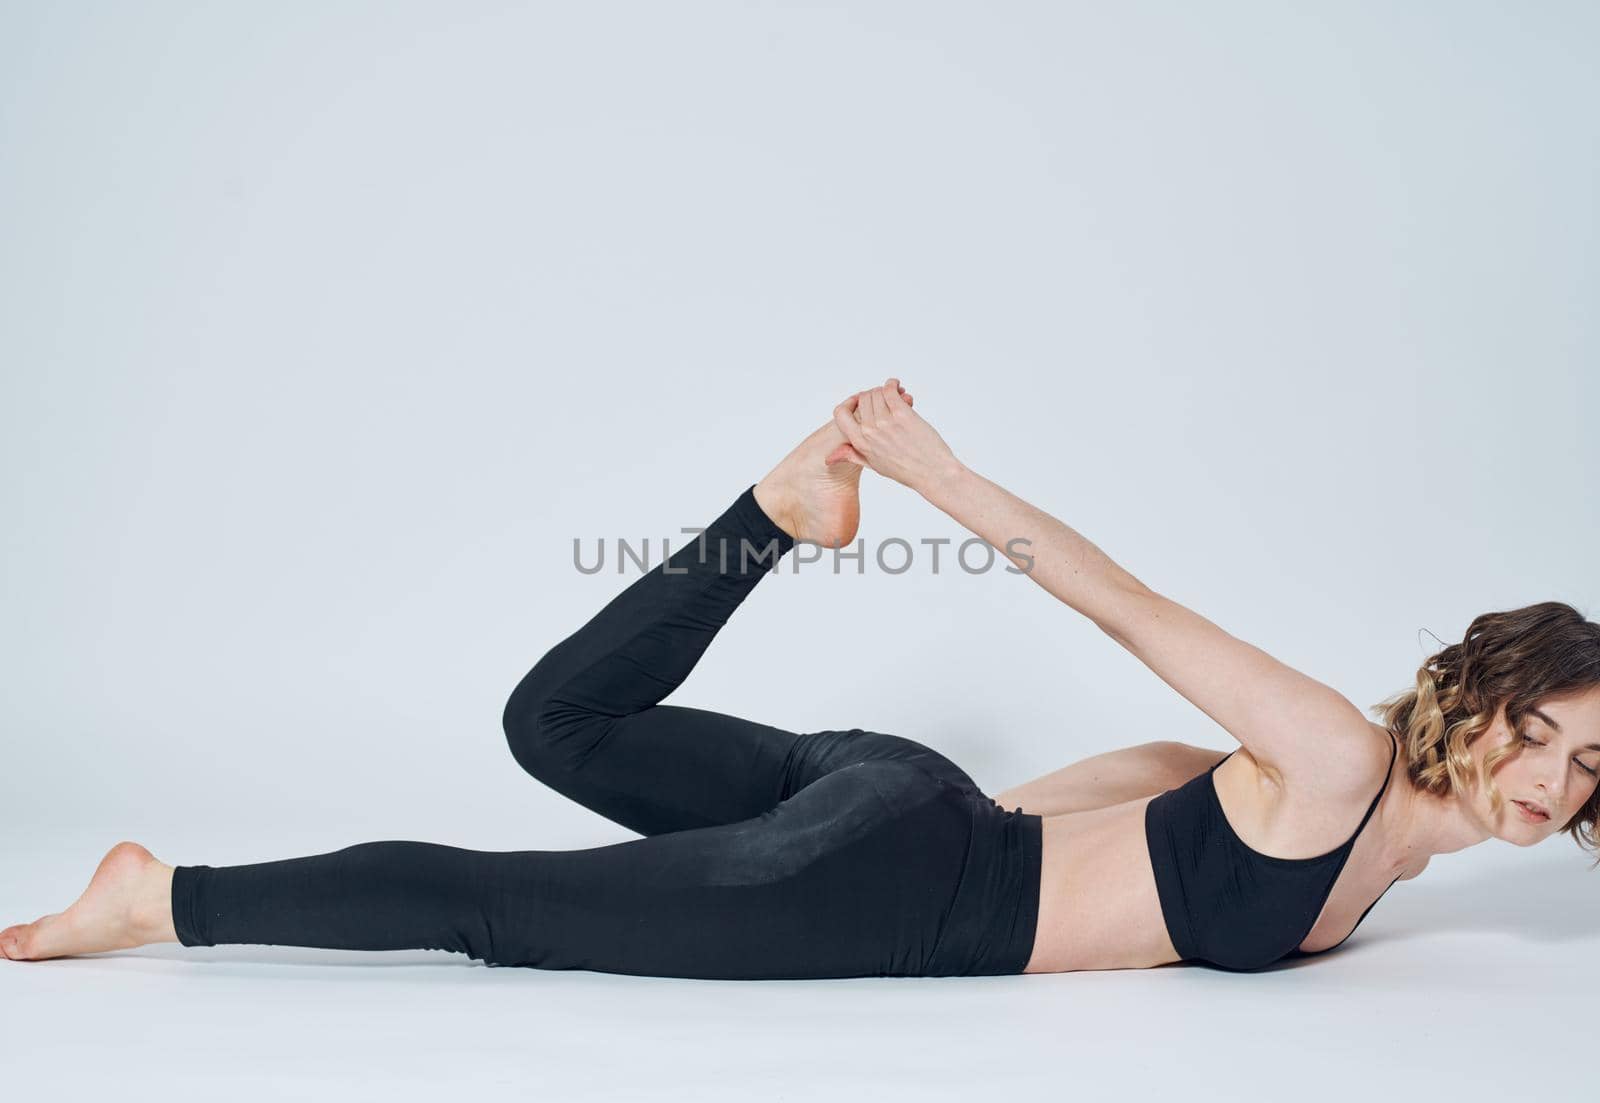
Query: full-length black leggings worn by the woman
x: 769, y: 854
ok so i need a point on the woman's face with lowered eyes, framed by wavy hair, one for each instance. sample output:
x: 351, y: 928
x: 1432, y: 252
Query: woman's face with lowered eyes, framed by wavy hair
x: 1554, y: 771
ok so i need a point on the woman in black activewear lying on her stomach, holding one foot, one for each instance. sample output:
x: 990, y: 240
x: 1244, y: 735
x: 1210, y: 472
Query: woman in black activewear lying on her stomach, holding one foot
x: 770, y: 854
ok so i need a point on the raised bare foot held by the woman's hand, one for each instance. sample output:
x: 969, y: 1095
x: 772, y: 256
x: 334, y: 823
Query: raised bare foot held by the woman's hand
x: 810, y: 499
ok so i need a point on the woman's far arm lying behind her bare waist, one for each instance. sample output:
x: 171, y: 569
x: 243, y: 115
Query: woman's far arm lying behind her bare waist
x: 1103, y: 780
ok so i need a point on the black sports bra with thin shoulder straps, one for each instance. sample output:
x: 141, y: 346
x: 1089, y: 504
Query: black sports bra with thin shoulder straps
x: 1225, y: 904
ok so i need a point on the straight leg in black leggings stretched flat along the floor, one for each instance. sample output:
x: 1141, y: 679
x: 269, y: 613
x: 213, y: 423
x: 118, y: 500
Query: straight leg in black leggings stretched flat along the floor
x: 850, y: 878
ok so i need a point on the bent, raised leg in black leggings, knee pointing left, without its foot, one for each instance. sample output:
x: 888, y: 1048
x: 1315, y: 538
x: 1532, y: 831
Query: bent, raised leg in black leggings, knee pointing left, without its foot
x: 588, y: 723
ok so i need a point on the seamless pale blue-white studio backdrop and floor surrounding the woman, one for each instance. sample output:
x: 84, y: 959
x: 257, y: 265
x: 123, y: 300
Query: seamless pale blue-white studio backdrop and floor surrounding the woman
x: 327, y: 329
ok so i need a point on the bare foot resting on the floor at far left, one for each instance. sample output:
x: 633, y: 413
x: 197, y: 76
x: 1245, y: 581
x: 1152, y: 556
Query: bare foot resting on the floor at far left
x: 129, y: 904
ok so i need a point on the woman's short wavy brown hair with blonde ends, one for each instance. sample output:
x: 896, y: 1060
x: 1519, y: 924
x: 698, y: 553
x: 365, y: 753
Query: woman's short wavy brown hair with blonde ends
x: 1516, y: 659
